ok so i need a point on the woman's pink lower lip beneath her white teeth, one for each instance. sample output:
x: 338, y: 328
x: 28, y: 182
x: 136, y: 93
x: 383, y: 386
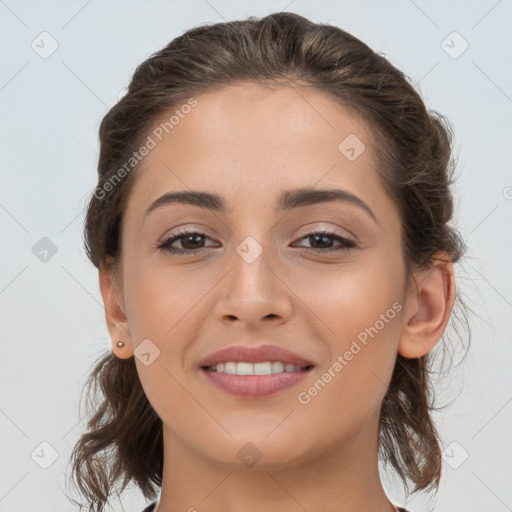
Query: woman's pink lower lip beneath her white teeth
x: 255, y: 385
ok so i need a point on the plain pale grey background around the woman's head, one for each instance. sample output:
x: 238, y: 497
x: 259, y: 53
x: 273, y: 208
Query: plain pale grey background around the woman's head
x: 52, y: 321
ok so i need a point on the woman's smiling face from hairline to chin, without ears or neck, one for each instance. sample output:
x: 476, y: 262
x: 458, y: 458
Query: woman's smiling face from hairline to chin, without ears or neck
x: 323, y: 279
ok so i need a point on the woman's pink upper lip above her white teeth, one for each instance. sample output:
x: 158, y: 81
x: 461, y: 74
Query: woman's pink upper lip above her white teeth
x: 260, y: 354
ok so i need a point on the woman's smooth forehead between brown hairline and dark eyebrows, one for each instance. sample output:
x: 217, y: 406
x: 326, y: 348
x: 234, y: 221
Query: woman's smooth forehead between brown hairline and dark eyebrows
x: 251, y: 141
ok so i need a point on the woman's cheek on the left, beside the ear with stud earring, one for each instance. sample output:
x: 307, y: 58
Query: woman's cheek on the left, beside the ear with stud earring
x: 163, y: 304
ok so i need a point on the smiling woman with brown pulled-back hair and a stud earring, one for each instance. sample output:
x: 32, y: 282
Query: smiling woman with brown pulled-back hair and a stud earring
x: 271, y: 230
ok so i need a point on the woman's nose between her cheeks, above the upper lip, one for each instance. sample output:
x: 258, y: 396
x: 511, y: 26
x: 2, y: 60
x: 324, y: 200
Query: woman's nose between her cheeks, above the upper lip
x: 254, y: 292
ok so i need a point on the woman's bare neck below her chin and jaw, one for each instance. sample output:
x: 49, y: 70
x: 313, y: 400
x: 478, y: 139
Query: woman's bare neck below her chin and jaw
x: 343, y: 478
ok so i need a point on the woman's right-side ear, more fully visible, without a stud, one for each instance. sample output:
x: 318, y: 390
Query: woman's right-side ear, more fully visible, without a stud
x: 428, y: 308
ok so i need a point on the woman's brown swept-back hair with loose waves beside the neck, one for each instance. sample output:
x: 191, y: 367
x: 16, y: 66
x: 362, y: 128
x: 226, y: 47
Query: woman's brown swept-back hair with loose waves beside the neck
x: 414, y: 148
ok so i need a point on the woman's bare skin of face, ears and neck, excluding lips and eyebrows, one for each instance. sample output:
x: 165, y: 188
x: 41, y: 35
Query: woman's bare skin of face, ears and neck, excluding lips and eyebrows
x: 248, y: 143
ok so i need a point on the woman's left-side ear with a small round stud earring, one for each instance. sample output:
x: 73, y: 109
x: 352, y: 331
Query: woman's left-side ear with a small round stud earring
x: 116, y: 320
